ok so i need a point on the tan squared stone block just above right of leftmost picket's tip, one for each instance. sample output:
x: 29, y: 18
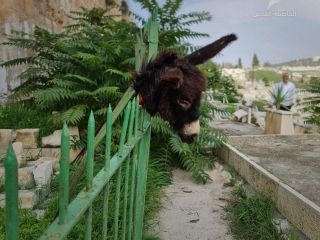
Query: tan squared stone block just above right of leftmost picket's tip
x: 29, y: 137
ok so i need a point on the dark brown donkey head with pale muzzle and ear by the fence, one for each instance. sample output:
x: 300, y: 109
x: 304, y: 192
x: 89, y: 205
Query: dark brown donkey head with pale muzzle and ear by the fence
x: 172, y: 85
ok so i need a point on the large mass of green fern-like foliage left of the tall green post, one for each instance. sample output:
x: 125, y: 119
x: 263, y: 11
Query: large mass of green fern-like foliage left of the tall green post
x: 84, y: 68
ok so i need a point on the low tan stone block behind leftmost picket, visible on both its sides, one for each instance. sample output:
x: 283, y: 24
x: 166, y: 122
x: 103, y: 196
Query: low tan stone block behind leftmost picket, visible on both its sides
x: 27, y: 199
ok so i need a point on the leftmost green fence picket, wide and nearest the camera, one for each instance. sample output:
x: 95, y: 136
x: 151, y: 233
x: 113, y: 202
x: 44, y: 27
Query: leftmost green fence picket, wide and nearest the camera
x: 11, y: 195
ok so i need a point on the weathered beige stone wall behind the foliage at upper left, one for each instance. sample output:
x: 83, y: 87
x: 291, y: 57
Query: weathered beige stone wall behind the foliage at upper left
x: 24, y: 15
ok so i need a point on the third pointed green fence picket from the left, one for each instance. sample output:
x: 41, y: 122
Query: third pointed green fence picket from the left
x: 90, y: 159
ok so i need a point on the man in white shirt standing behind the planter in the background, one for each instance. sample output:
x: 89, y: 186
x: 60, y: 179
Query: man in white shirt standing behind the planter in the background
x: 288, y: 92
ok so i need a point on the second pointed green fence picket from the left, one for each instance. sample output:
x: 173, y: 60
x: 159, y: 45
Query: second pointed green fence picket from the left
x: 64, y: 175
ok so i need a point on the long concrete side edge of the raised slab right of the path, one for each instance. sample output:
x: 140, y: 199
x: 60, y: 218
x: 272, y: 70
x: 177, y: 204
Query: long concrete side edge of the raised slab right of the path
x: 299, y: 210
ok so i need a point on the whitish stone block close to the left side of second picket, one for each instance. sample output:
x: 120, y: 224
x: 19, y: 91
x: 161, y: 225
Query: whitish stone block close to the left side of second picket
x: 43, y: 173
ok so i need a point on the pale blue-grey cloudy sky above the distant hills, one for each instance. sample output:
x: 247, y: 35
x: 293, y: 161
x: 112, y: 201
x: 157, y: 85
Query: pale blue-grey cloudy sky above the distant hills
x: 293, y: 35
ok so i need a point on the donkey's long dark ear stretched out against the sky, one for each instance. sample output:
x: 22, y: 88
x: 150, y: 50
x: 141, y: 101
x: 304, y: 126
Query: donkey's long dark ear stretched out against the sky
x: 211, y: 50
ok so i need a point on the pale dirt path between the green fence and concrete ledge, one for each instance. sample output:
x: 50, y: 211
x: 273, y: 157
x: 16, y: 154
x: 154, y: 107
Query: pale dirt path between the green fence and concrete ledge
x: 195, y: 212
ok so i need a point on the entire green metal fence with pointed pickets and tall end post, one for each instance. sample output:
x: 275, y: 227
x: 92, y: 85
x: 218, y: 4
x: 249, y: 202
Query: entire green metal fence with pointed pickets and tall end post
x: 130, y: 163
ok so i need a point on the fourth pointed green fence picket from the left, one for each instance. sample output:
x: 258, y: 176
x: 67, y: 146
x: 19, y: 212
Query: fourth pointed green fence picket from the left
x: 107, y: 168
